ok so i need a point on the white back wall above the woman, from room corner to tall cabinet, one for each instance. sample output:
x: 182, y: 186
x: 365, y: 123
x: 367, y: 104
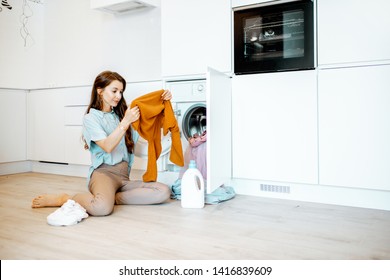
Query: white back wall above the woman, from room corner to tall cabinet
x: 81, y: 42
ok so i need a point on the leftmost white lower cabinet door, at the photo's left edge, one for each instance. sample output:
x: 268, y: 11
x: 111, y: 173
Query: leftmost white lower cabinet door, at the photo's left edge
x: 13, y: 126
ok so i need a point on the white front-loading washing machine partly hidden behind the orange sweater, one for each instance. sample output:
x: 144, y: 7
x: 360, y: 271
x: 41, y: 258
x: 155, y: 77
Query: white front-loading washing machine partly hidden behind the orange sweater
x: 189, y: 104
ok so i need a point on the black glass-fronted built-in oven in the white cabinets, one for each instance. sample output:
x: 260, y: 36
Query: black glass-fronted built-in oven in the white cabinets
x: 274, y: 36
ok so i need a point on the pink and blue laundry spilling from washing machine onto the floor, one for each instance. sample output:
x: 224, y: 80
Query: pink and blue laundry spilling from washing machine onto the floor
x: 196, y: 150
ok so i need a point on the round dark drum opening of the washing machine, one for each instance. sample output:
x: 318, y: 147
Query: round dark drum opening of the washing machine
x: 194, y: 120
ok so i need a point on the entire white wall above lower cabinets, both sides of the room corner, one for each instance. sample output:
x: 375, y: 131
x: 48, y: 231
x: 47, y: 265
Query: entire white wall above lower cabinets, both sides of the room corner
x: 73, y: 43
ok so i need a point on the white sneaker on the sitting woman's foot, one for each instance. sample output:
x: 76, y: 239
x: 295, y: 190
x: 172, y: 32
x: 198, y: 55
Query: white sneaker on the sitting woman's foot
x: 69, y: 214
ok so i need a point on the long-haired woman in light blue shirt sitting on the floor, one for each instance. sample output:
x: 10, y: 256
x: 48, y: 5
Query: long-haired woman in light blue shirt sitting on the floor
x: 108, y: 135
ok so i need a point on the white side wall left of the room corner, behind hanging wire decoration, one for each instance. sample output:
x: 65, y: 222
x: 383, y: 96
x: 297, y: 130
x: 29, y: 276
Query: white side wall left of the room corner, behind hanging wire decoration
x: 20, y: 65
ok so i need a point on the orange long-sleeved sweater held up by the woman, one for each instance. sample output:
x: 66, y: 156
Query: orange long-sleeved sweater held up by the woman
x: 155, y: 114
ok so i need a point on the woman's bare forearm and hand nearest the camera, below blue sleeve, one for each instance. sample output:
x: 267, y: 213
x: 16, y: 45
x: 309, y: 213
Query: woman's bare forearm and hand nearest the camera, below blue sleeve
x: 109, y: 144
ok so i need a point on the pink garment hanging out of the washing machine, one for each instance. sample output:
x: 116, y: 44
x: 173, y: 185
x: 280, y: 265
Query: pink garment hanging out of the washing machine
x: 197, y: 153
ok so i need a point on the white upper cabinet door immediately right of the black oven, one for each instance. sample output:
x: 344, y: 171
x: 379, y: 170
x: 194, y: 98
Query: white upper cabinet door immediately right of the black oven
x: 353, y: 31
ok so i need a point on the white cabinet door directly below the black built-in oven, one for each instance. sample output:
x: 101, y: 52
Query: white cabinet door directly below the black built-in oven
x: 275, y: 127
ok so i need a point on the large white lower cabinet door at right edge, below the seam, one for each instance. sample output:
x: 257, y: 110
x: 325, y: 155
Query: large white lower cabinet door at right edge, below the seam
x: 354, y: 127
